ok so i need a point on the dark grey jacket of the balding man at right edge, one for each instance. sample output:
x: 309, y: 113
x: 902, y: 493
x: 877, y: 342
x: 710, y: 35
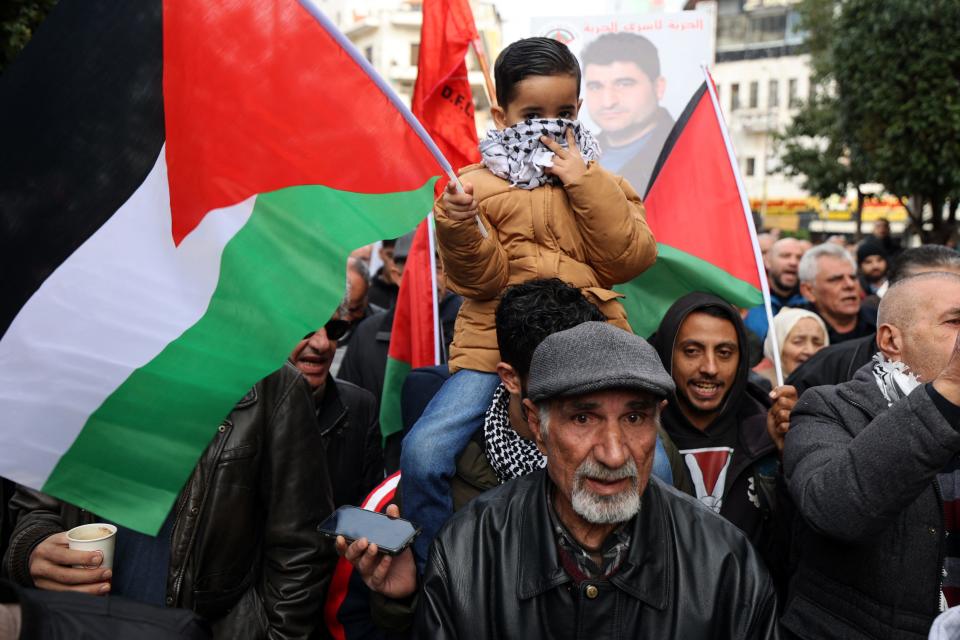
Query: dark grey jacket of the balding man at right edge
x: 864, y: 479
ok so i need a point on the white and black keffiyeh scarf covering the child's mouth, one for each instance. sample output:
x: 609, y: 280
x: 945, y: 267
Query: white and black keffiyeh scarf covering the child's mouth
x: 516, y: 153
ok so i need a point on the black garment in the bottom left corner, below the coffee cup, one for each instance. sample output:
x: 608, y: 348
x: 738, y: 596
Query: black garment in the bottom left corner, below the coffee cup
x: 49, y: 615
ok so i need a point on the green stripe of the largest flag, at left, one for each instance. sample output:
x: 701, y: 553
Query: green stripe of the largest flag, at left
x: 137, y: 450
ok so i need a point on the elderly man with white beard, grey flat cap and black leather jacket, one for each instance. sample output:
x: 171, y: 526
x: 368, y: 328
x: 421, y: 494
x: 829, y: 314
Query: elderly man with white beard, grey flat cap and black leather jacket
x: 593, y: 546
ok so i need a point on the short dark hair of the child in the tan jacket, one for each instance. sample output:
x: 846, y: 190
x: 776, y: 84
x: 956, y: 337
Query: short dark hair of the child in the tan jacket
x: 532, y: 57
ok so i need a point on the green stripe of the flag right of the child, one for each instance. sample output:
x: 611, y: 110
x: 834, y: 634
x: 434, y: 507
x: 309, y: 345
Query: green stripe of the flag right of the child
x: 675, y: 274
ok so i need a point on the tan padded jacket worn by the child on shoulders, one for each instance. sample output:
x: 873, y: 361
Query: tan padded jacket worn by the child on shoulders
x: 591, y: 233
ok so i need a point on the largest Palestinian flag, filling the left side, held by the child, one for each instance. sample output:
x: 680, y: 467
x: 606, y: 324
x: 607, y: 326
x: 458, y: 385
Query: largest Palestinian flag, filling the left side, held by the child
x: 180, y: 186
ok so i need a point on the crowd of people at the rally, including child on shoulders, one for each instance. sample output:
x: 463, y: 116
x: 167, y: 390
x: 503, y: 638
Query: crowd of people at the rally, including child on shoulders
x: 569, y: 478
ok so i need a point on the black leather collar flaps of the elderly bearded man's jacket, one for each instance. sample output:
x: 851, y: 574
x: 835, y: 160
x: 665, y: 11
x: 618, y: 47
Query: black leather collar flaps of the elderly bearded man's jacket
x: 644, y: 573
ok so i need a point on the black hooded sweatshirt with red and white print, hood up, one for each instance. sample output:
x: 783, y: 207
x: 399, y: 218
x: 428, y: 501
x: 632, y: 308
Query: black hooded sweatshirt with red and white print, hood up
x: 732, y: 463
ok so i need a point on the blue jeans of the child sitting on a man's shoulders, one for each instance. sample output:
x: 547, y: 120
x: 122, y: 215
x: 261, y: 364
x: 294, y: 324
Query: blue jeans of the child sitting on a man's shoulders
x: 428, y: 459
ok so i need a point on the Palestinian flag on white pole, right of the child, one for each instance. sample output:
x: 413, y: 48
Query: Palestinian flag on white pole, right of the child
x: 698, y: 212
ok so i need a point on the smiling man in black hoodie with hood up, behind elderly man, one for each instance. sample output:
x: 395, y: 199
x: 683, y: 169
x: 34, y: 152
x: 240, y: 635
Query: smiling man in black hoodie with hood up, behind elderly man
x: 717, y: 419
